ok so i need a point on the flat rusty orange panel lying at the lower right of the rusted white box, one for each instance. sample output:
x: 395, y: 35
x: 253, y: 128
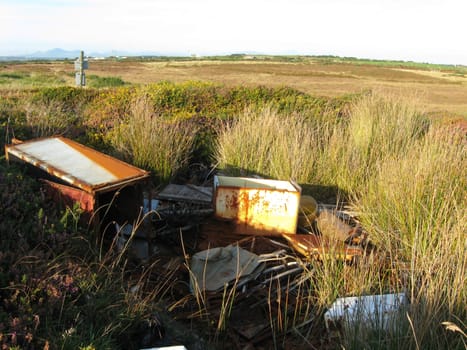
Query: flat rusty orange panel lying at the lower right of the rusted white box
x: 313, y: 246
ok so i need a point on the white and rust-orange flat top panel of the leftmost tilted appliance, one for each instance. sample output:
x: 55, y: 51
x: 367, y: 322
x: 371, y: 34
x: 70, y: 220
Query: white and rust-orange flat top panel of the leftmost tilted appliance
x: 75, y: 164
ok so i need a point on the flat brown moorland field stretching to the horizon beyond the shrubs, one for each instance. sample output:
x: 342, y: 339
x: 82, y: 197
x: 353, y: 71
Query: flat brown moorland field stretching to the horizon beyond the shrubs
x: 439, y: 91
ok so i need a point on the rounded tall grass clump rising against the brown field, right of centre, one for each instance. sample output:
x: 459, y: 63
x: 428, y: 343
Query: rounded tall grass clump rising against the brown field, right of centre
x: 379, y: 126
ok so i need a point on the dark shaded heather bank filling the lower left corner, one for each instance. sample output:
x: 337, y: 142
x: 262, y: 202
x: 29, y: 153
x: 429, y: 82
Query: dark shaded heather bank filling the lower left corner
x: 57, y: 289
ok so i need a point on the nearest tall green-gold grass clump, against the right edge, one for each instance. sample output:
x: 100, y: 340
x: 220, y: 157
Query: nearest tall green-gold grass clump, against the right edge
x: 414, y: 208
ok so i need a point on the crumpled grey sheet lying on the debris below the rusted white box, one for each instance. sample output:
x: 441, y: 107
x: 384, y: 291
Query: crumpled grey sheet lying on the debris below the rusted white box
x: 214, y: 268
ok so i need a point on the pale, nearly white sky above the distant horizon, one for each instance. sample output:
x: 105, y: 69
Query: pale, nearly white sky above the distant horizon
x: 408, y: 30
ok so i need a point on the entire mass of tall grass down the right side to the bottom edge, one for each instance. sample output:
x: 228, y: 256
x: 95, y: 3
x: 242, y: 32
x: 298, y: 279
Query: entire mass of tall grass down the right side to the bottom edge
x: 407, y: 180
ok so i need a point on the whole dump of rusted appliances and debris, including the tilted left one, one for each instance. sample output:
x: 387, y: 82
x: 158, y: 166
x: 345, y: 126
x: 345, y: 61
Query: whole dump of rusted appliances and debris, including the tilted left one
x: 238, y: 249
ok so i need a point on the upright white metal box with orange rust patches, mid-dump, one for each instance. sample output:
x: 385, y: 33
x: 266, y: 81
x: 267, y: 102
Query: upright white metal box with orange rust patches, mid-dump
x: 257, y: 206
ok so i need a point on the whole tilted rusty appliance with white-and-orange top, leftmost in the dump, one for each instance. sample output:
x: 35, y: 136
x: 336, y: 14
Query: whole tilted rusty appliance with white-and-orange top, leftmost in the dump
x: 102, y: 185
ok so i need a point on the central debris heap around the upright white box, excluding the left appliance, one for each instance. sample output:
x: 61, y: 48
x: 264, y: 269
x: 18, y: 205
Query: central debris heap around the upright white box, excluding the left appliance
x: 233, y: 246
